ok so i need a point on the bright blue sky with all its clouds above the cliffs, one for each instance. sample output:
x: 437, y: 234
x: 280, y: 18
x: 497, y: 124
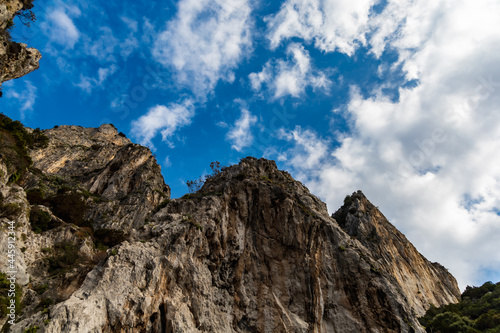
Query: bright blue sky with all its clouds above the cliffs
x: 396, y: 98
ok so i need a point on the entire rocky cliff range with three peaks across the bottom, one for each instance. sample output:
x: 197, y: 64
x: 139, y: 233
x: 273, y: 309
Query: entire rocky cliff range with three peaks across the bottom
x: 101, y: 247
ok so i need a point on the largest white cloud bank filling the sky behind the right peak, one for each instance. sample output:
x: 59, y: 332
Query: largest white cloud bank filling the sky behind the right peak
x: 429, y: 160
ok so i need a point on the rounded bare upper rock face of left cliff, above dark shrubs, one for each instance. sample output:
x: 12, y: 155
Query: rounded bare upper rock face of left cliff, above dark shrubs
x: 123, y: 178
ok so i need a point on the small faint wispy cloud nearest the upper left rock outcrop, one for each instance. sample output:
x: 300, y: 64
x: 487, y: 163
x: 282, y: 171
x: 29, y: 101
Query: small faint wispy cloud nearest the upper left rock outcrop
x: 60, y: 27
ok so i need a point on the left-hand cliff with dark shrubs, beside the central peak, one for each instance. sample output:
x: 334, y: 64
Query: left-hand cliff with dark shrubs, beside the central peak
x: 73, y: 198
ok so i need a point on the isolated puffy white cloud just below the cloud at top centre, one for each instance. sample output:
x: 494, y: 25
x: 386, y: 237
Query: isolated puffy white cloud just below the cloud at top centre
x: 289, y: 77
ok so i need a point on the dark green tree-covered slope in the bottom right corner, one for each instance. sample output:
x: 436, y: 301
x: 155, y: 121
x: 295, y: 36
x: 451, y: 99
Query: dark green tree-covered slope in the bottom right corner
x: 479, y: 311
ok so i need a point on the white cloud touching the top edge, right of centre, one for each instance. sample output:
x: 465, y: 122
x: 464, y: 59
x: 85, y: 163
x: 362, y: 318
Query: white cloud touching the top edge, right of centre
x: 332, y: 24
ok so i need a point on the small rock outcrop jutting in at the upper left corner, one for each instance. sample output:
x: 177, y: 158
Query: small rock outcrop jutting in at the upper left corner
x: 16, y: 59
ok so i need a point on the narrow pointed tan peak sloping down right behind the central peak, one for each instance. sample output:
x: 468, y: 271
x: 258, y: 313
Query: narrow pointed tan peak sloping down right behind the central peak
x: 424, y: 282
